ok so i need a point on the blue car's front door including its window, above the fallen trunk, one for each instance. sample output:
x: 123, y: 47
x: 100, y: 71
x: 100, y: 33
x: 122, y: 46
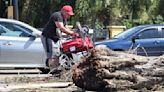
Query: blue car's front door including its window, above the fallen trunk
x: 148, y: 42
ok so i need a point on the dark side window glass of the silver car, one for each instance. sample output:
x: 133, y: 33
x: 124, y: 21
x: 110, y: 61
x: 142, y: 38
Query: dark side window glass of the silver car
x: 24, y: 32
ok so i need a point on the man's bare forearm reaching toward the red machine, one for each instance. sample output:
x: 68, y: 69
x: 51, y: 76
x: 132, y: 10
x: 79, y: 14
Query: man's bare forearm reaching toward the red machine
x: 64, y: 29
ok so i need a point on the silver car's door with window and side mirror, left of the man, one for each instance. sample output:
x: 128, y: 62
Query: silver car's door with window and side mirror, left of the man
x: 19, y: 48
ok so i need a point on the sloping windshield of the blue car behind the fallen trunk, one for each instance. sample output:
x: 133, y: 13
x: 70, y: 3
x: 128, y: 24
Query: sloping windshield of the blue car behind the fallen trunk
x: 127, y: 33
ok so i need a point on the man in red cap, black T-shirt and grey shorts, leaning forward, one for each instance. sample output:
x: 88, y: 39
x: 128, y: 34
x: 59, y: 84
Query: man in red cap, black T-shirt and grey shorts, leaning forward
x: 58, y: 20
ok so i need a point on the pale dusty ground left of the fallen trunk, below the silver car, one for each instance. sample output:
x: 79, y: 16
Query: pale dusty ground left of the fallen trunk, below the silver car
x: 28, y: 82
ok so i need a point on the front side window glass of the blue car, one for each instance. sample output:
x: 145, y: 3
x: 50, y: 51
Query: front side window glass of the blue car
x: 148, y: 34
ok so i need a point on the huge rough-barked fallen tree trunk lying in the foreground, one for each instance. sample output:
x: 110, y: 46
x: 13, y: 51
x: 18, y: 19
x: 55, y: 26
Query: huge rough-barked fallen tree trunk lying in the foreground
x: 107, y: 71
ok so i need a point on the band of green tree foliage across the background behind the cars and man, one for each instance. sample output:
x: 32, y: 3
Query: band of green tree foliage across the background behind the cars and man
x: 94, y: 13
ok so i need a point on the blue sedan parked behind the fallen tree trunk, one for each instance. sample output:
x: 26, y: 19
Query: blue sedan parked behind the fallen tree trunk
x: 147, y: 38
